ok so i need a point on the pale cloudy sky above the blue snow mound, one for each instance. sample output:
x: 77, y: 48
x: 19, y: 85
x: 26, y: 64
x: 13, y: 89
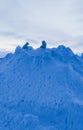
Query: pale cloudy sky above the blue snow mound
x: 56, y: 21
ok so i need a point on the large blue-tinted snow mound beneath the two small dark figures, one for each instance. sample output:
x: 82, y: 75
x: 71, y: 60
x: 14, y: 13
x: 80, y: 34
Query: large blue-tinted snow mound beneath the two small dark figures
x: 41, y: 89
